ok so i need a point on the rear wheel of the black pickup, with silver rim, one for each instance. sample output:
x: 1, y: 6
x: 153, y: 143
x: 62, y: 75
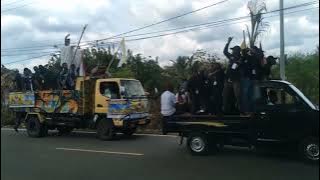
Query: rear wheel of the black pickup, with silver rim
x: 198, y: 144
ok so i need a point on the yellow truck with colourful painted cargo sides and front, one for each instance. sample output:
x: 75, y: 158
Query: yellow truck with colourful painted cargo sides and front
x: 108, y: 105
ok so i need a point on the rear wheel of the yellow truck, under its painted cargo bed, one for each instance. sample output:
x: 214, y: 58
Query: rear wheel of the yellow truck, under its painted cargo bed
x: 35, y: 128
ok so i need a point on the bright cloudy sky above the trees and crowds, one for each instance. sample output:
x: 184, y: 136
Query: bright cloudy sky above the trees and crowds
x: 31, y: 28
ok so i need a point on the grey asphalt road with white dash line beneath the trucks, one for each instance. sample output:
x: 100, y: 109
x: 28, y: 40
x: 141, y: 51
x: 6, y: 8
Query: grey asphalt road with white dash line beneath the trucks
x: 81, y: 156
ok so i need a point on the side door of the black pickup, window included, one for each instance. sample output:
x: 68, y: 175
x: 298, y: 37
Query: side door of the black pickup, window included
x: 280, y: 114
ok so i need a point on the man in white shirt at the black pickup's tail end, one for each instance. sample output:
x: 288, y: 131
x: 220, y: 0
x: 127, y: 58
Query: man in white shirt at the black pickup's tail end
x: 168, y: 103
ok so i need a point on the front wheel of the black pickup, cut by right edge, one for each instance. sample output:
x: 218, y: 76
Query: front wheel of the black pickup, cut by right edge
x: 309, y: 149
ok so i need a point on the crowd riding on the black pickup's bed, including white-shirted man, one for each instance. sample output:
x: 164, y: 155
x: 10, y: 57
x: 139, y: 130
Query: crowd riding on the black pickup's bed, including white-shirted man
x: 217, y: 90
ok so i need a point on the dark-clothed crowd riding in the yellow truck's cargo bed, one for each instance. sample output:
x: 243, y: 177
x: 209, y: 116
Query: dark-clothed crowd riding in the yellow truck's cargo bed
x: 42, y: 79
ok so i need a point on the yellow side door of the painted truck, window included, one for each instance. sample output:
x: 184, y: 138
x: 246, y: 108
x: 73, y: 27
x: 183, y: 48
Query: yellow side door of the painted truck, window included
x: 104, y: 91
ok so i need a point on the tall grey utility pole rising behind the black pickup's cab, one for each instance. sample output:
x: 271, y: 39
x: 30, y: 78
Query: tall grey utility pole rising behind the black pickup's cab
x: 282, y: 57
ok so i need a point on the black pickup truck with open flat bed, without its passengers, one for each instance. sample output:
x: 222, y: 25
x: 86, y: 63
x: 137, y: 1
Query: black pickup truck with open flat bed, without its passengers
x: 291, y: 121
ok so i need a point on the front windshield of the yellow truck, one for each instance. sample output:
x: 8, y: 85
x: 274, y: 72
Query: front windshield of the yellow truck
x: 132, y: 88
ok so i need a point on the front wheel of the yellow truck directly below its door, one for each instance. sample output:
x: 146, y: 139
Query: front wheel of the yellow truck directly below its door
x: 105, y: 130
